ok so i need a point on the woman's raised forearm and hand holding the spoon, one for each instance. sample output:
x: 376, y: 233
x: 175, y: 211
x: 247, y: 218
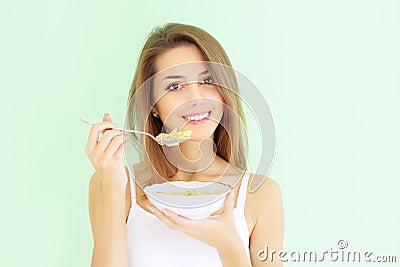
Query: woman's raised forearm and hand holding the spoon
x: 107, y: 194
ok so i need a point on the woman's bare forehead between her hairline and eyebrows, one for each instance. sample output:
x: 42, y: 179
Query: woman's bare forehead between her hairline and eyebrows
x: 177, y: 56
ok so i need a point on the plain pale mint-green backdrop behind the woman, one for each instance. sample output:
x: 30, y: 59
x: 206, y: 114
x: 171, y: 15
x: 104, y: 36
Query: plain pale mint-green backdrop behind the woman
x: 328, y: 69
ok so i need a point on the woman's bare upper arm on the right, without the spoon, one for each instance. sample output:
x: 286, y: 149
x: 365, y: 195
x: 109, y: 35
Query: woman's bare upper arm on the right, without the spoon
x: 269, y: 225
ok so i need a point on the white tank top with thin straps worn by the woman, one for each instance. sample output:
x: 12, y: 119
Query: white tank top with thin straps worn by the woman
x: 151, y: 243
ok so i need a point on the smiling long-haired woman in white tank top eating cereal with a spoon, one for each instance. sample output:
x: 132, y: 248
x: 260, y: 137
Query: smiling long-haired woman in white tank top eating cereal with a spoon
x: 129, y: 231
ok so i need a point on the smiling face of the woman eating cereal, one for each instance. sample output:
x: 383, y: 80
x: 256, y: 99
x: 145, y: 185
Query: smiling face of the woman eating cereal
x: 185, y: 96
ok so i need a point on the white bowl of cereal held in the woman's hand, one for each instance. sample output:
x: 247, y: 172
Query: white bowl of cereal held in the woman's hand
x: 191, y: 206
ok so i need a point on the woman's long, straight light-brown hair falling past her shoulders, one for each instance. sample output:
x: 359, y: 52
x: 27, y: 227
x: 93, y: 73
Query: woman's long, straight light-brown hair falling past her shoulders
x: 161, y: 39
